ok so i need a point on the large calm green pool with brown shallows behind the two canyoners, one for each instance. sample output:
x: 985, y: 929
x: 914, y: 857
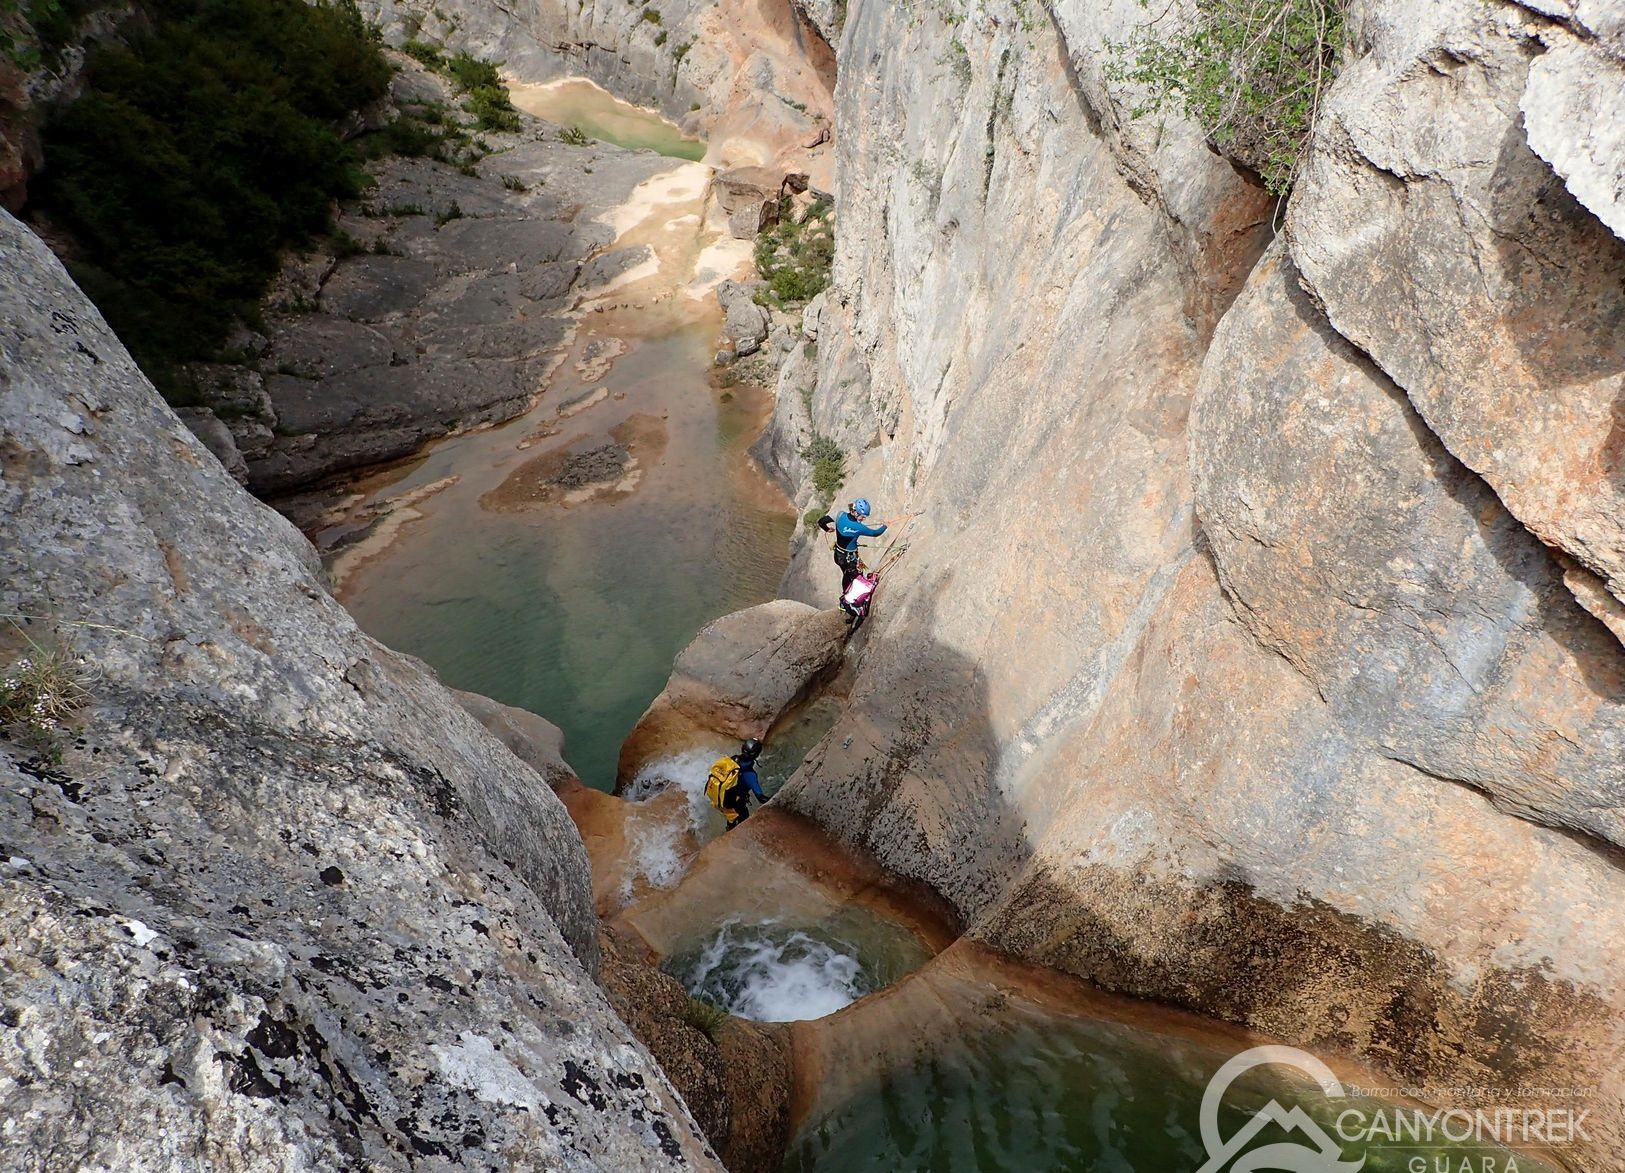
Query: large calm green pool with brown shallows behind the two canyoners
x: 576, y: 612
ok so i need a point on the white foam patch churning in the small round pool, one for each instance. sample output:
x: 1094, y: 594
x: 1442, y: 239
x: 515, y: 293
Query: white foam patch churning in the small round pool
x: 773, y: 974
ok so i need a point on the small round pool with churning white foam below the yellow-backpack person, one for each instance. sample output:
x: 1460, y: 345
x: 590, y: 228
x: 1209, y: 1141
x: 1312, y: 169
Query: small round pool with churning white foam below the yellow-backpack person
x: 774, y: 971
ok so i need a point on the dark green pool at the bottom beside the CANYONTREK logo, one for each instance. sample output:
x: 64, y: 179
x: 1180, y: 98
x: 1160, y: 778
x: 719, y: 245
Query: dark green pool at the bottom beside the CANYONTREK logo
x: 1016, y: 1089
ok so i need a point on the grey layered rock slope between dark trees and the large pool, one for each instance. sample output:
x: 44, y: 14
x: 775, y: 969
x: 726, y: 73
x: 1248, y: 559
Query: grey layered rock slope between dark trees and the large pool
x: 457, y: 331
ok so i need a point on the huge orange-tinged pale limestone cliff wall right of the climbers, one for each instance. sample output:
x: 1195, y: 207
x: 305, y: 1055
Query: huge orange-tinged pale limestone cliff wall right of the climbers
x: 1252, y: 651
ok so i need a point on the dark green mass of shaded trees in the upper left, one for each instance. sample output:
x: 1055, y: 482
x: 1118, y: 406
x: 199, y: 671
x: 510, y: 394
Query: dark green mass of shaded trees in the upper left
x: 197, y: 155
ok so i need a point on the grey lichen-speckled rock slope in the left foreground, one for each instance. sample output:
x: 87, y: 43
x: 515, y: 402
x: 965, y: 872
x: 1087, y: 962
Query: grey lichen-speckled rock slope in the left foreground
x: 282, y: 902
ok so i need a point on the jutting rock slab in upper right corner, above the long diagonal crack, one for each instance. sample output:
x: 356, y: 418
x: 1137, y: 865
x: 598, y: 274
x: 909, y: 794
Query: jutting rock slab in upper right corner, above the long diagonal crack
x: 1450, y: 253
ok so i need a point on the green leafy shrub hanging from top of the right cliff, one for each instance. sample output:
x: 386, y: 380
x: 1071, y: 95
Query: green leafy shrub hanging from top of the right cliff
x: 1249, y: 72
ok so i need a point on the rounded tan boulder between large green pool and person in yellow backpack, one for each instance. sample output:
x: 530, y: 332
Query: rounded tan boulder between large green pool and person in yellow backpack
x: 739, y: 677
